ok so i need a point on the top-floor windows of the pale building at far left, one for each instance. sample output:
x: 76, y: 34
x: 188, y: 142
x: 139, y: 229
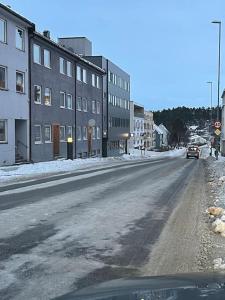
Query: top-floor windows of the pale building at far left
x: 19, y: 35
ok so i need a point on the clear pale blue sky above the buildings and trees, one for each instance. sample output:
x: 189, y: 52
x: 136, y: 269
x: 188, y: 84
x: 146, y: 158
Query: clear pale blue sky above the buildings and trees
x: 169, y: 47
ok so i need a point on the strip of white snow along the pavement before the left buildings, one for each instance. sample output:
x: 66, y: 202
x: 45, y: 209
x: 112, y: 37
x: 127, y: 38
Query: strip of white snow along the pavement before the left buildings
x: 26, y: 171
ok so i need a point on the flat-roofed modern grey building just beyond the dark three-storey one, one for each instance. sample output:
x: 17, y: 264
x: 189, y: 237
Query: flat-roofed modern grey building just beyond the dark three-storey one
x: 116, y: 98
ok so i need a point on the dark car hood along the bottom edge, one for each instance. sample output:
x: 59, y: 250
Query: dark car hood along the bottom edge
x: 169, y: 287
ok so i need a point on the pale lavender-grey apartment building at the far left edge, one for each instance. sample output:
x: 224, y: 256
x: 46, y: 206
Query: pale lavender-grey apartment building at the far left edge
x: 14, y: 86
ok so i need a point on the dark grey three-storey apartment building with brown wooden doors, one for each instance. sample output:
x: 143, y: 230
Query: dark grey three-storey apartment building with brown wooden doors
x: 66, y: 101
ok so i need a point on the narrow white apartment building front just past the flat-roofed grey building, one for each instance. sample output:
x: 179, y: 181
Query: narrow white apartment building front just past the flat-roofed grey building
x: 137, y: 125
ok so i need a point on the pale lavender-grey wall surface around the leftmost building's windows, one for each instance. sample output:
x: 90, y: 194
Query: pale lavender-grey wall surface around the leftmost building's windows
x: 13, y: 105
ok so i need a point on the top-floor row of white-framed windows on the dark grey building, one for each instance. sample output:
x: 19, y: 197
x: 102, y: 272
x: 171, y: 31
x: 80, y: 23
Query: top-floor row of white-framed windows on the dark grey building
x: 65, y: 66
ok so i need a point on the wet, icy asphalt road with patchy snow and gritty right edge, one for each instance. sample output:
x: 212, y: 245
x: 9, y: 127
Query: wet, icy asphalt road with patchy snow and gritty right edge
x: 65, y: 234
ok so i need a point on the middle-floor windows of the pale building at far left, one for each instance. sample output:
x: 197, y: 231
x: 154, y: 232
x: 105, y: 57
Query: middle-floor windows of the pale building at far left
x: 20, y: 79
